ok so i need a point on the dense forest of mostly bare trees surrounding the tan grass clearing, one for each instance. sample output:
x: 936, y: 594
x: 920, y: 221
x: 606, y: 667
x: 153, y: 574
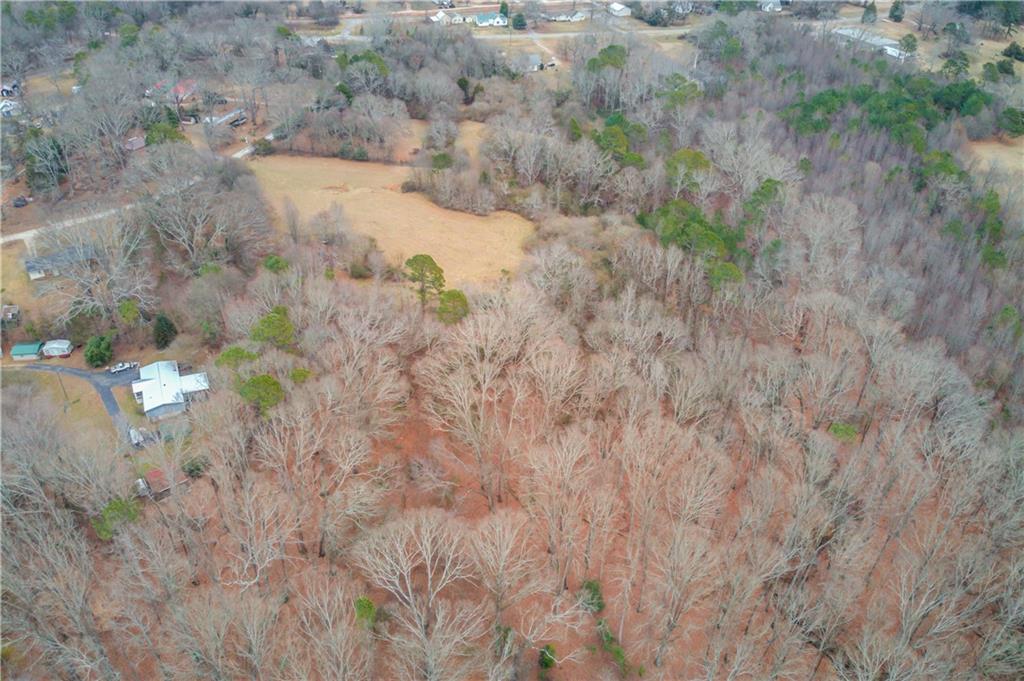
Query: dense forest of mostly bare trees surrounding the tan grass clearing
x: 752, y: 409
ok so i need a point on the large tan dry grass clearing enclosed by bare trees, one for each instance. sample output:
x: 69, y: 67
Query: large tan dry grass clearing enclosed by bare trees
x: 471, y: 248
